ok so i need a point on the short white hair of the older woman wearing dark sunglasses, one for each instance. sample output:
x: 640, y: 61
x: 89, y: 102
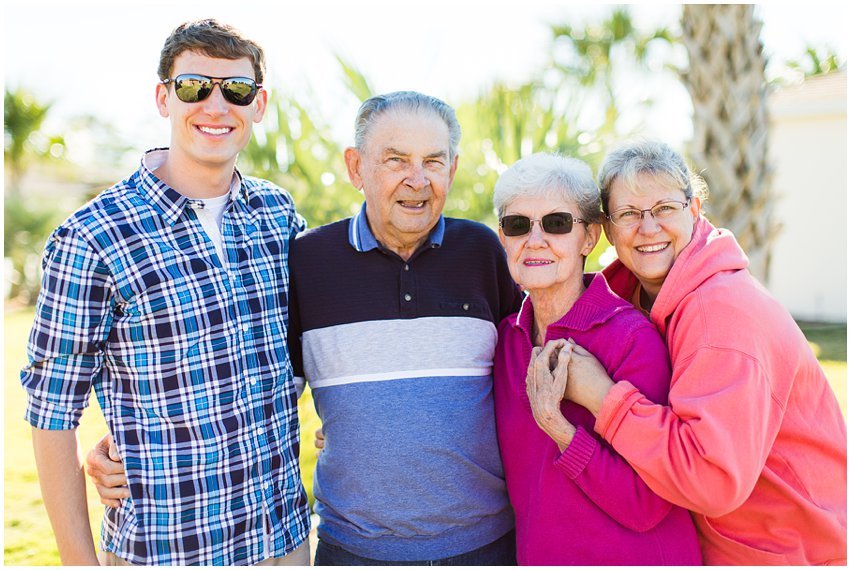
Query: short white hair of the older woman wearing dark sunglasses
x: 551, y: 175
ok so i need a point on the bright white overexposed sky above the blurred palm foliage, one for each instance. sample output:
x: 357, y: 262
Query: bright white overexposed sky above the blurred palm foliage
x: 76, y: 54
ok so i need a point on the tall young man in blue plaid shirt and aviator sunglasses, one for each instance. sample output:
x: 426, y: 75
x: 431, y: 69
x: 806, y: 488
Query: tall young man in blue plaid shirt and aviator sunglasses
x: 167, y: 294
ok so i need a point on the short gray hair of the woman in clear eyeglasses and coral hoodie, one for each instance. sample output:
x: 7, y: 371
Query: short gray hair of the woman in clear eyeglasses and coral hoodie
x: 655, y: 158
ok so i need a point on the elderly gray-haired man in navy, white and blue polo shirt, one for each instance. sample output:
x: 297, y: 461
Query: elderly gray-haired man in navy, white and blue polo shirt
x: 393, y: 317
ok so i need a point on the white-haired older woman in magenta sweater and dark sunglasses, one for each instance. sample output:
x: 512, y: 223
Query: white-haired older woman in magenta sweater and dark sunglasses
x: 576, y: 501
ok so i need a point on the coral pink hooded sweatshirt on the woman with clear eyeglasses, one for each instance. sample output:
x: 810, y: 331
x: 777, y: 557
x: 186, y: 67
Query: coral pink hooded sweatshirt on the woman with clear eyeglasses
x: 753, y: 441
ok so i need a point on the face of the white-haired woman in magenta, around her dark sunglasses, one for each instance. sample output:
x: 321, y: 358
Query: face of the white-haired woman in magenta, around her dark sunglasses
x: 548, y: 264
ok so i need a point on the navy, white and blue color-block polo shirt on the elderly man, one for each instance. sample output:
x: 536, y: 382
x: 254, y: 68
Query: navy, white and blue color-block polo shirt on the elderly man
x: 399, y: 357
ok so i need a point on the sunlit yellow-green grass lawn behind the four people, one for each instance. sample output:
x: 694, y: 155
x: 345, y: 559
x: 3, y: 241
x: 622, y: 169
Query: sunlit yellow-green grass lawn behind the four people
x: 28, y: 537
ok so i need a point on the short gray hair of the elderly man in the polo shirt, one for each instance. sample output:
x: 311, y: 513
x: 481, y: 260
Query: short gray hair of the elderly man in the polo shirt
x: 371, y: 109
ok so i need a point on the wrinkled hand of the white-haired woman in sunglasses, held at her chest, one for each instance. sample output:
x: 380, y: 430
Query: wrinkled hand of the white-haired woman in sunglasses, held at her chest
x: 546, y: 380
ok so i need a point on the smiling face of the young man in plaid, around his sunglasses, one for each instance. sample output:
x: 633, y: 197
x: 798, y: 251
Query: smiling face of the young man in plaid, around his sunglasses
x: 209, y: 134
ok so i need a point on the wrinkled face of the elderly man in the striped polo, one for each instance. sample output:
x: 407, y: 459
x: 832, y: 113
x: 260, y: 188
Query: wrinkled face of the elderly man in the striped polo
x: 405, y: 172
